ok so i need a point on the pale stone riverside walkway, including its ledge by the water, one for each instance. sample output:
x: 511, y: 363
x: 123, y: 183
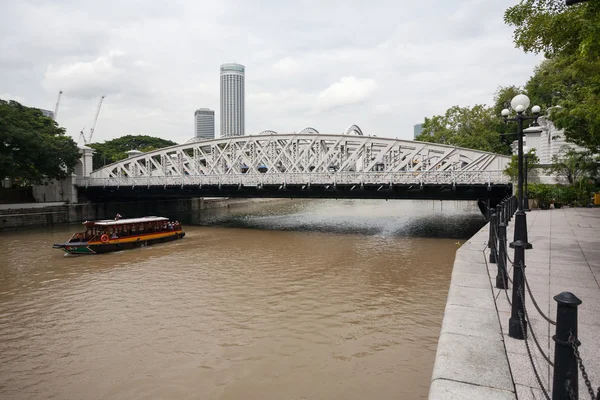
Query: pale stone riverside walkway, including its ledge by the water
x: 475, y: 357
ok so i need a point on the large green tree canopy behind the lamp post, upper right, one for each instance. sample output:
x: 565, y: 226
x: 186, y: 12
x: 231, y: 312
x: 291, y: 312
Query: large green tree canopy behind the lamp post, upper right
x: 566, y: 84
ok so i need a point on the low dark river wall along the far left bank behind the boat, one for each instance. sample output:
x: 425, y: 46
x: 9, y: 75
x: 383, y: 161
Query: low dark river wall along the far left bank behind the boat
x: 36, y: 215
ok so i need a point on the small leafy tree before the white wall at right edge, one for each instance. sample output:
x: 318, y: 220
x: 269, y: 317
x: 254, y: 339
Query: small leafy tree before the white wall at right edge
x: 574, y: 165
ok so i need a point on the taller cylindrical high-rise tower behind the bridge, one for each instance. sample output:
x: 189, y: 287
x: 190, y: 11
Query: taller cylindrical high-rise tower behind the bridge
x: 232, y: 100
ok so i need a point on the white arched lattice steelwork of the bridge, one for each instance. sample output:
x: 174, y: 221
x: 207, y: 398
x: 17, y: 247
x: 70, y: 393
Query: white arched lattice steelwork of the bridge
x: 304, y: 158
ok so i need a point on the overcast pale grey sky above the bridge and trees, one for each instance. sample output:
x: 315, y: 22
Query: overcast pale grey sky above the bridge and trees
x: 381, y: 64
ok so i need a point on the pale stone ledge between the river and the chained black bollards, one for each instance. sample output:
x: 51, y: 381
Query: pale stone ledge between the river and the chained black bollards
x: 471, y: 360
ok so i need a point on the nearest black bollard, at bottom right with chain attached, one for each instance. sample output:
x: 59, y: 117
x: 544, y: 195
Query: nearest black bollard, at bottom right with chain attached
x: 565, y: 362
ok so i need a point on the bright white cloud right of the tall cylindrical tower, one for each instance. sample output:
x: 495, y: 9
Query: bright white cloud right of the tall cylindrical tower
x: 348, y: 90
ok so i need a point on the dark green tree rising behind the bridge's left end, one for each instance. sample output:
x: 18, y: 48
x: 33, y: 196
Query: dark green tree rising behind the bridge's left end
x: 116, y: 149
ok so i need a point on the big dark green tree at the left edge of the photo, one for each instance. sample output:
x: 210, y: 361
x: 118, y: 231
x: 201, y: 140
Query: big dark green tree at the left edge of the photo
x: 33, y: 148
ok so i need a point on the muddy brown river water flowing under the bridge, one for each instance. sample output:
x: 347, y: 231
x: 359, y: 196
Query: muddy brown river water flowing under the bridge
x: 287, y: 300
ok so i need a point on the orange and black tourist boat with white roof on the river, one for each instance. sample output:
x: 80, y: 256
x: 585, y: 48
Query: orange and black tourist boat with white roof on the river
x: 119, y: 234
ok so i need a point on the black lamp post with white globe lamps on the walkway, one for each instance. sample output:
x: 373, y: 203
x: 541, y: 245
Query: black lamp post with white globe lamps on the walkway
x: 517, y: 326
